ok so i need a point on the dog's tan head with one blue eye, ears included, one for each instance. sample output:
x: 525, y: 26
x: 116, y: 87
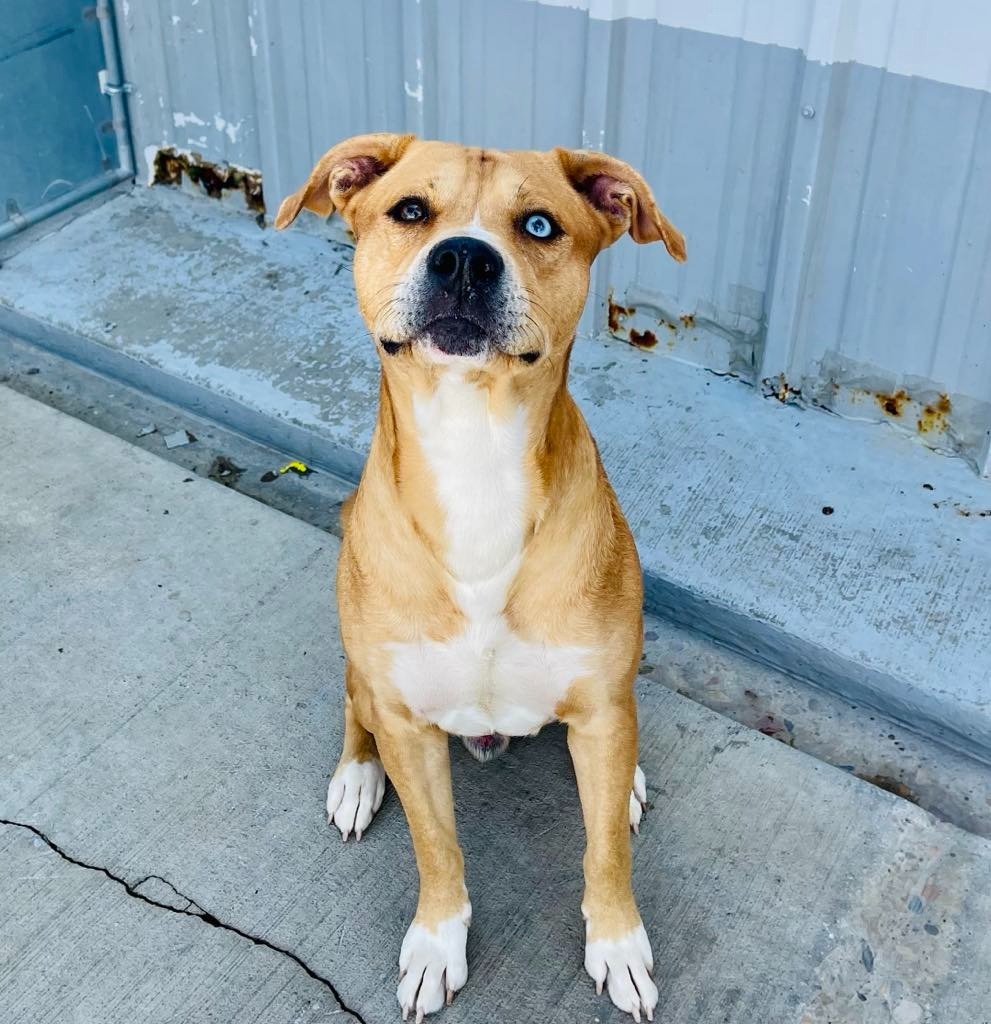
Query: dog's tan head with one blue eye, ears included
x: 477, y: 253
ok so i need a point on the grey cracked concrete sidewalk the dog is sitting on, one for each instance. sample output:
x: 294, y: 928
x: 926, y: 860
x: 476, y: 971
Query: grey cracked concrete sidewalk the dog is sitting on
x: 169, y: 711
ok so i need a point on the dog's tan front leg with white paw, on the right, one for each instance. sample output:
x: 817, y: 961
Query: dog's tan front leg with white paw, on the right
x: 602, y: 739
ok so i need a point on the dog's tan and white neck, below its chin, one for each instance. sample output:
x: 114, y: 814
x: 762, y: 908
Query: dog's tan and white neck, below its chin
x: 475, y: 457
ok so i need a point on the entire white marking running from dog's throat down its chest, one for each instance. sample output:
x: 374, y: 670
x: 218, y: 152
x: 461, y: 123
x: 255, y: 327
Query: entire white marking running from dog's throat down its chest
x: 487, y: 679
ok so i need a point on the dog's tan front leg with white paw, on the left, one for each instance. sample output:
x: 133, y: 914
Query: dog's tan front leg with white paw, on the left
x: 433, y: 962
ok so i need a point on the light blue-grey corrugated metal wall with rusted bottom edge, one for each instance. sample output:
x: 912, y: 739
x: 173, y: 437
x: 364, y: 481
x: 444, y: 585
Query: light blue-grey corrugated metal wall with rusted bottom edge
x: 827, y: 159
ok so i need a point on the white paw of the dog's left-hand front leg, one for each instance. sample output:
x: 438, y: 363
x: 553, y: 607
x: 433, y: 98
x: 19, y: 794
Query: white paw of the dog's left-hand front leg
x: 434, y: 965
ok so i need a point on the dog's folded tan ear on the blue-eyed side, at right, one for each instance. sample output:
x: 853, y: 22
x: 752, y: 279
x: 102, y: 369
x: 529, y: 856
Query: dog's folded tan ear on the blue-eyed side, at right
x: 622, y: 198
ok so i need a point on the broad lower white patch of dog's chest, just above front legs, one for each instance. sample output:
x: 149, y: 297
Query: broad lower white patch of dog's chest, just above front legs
x: 486, y: 680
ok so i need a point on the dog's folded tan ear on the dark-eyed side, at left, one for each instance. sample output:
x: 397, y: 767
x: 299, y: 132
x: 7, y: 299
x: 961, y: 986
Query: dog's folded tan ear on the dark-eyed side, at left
x: 342, y: 173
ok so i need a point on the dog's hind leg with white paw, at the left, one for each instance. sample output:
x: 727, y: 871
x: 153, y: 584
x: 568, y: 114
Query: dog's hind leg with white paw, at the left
x: 358, y: 786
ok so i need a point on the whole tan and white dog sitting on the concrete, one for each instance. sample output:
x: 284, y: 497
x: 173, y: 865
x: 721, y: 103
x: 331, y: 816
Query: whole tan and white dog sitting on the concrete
x: 488, y: 582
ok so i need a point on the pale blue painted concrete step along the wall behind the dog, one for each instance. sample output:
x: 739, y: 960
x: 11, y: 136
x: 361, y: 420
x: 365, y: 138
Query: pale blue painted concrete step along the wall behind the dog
x: 842, y: 553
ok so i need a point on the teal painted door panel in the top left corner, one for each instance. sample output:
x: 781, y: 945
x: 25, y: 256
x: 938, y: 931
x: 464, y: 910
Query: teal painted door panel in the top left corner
x: 57, y: 132
